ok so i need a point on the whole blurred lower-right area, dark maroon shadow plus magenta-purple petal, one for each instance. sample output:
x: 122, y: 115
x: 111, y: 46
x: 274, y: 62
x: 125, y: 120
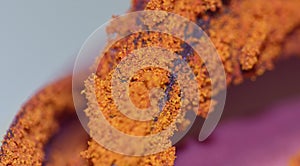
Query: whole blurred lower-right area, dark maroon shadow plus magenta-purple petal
x: 260, y: 124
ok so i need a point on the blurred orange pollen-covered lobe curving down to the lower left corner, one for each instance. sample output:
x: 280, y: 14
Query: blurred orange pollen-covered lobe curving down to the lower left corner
x: 36, y: 123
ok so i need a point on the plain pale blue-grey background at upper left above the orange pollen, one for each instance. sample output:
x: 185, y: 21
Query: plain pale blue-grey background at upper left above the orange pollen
x: 38, y: 39
